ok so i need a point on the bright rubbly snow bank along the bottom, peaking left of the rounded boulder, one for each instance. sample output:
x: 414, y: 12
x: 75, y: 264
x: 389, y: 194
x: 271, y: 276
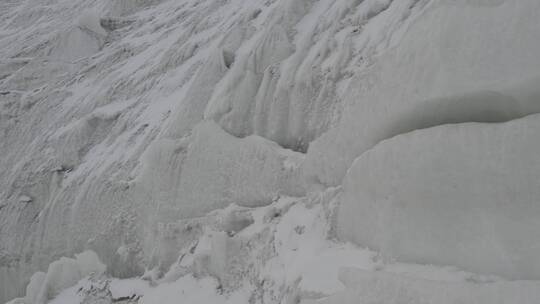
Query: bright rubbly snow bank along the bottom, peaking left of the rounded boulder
x: 286, y: 254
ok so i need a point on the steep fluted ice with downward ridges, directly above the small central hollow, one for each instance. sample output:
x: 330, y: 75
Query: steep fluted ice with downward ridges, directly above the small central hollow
x: 285, y: 89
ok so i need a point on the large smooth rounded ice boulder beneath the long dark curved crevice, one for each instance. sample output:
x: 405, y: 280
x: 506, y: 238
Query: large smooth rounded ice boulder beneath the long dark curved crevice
x: 464, y: 195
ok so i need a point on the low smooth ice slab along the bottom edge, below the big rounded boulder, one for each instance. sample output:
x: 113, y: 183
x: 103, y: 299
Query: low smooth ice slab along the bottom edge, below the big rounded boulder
x: 380, y: 287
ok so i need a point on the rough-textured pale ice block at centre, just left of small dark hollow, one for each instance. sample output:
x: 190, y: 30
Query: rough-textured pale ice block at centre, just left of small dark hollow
x: 248, y: 172
